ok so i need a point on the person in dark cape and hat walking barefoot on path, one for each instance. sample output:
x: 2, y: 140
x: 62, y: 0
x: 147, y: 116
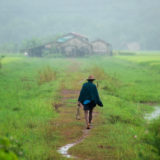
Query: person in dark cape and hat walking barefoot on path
x: 89, y: 98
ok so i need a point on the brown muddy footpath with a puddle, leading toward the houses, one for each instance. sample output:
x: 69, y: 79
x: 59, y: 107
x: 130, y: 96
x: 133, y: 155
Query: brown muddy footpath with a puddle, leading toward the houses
x: 74, y: 131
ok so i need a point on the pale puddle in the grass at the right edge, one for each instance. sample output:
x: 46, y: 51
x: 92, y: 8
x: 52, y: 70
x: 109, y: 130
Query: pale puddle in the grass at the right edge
x: 155, y: 114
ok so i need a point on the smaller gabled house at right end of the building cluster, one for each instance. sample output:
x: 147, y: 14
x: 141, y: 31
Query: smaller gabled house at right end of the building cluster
x: 101, y: 47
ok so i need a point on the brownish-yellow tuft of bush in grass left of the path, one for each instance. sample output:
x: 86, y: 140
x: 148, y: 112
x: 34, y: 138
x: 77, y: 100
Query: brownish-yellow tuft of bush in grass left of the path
x: 47, y: 74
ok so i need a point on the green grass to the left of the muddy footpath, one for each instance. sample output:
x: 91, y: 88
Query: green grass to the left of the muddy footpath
x: 28, y: 90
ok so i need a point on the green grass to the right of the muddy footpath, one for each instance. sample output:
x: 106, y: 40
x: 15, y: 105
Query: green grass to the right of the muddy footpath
x: 127, y: 90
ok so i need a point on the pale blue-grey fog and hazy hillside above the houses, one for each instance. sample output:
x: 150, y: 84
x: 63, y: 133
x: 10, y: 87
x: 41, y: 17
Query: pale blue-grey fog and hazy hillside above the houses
x: 119, y: 22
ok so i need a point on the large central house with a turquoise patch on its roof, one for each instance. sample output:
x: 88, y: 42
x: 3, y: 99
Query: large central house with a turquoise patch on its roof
x: 73, y: 44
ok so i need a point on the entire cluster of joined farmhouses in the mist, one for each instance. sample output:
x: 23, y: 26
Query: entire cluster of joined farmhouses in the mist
x: 72, y: 45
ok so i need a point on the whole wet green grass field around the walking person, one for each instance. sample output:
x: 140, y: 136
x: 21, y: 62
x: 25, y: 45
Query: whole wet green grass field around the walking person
x: 129, y: 88
